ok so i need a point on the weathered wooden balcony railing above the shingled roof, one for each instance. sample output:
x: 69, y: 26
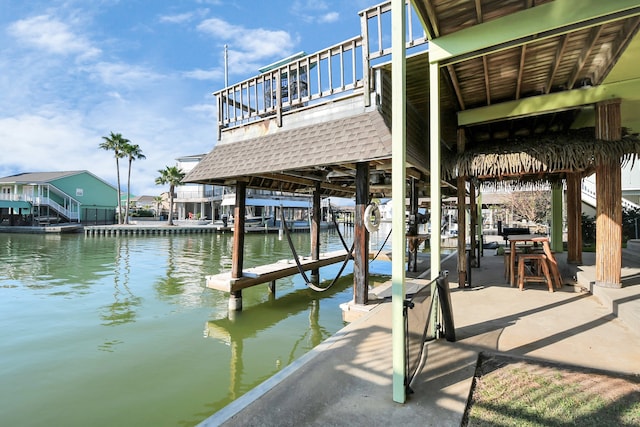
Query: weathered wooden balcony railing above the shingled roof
x: 313, y: 79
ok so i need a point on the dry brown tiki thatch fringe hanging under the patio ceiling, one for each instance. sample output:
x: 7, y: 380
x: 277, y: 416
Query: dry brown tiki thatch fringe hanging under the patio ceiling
x: 541, y: 157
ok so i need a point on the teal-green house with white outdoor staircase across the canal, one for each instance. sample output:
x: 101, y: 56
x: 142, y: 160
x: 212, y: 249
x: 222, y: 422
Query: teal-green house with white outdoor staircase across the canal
x: 42, y: 198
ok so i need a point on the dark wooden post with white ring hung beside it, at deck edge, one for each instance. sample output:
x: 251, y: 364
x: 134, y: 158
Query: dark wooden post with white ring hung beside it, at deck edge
x: 361, y: 237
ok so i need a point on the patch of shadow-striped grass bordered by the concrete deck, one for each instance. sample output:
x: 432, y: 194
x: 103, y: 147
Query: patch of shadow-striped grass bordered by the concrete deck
x: 509, y: 392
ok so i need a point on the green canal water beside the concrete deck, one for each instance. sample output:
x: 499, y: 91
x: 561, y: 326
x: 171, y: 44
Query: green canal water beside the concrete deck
x: 122, y: 331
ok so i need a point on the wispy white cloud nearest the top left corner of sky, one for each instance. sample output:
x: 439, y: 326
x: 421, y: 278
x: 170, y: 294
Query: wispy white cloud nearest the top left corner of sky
x: 52, y: 35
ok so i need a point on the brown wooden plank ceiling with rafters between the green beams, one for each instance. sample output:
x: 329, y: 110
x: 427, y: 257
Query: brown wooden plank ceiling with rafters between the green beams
x: 574, y: 55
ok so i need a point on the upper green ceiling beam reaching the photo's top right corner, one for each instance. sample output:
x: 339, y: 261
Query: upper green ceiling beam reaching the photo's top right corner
x: 537, y: 23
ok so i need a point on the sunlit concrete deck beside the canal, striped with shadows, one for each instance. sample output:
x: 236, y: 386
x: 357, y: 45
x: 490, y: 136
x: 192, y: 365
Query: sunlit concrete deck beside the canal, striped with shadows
x: 347, y: 379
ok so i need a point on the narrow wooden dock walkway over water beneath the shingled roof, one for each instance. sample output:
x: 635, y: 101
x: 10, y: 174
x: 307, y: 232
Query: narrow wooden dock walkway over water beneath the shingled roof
x: 270, y: 272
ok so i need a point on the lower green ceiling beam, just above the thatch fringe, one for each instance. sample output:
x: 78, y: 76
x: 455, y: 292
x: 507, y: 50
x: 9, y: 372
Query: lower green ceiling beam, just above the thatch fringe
x: 536, y: 105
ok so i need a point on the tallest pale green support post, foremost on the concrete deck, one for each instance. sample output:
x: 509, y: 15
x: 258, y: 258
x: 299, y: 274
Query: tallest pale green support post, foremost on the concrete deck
x: 398, y: 176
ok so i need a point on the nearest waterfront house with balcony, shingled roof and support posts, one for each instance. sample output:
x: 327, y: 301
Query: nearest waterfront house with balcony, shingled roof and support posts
x: 483, y: 91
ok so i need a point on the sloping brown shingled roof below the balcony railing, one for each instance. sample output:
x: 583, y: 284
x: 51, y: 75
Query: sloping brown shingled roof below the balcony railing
x: 300, y: 156
